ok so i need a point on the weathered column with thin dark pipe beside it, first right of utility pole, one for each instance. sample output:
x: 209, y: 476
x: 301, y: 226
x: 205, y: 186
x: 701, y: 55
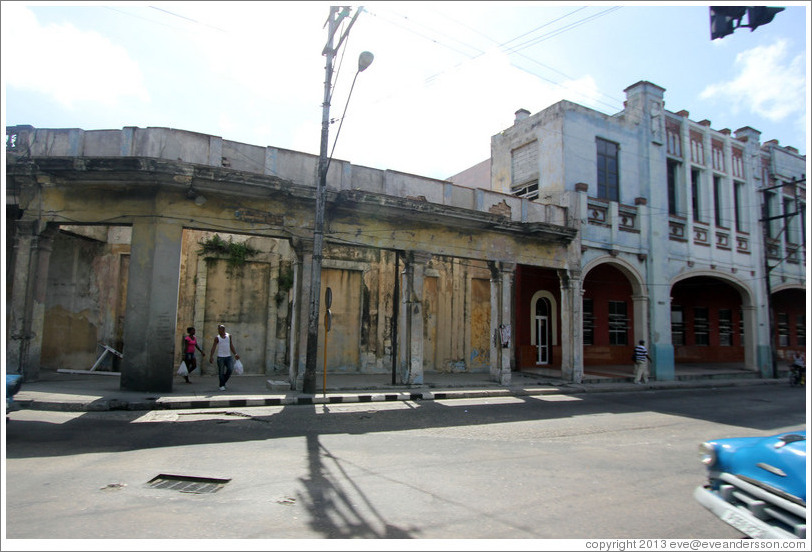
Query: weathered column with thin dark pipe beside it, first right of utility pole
x: 411, y: 321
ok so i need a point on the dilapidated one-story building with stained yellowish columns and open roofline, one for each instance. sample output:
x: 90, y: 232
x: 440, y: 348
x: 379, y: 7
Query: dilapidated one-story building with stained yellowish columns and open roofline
x: 123, y: 238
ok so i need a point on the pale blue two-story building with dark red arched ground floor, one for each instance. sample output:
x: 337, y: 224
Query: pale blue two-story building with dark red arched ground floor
x: 673, y: 215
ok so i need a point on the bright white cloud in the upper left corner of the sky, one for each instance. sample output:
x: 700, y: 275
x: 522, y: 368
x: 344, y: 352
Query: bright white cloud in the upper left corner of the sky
x: 65, y: 63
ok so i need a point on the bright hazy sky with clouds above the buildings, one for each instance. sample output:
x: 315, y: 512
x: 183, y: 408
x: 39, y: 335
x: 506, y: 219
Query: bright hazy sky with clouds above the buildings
x: 446, y: 76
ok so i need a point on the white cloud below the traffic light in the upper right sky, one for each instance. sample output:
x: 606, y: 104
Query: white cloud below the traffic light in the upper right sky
x: 768, y: 84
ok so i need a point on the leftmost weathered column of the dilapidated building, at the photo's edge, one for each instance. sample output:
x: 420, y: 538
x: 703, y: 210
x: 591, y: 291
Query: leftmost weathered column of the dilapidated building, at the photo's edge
x: 32, y: 254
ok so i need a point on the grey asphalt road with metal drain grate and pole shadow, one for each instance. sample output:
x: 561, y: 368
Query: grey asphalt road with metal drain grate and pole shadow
x: 609, y: 465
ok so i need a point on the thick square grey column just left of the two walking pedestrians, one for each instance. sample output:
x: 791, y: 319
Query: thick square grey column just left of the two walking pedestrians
x: 152, y: 306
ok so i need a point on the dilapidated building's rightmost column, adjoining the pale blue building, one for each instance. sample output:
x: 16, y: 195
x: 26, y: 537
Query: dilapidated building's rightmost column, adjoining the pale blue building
x: 572, y: 324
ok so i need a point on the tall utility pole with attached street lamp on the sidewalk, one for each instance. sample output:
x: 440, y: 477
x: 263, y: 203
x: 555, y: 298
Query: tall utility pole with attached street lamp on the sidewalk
x: 364, y: 60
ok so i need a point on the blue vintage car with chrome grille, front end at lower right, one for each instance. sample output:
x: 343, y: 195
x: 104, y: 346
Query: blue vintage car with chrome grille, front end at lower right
x: 757, y: 484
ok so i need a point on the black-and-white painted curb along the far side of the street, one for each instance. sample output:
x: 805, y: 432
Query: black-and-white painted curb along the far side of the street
x: 184, y: 403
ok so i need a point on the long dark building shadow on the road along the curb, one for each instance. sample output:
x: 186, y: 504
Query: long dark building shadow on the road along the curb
x: 758, y: 408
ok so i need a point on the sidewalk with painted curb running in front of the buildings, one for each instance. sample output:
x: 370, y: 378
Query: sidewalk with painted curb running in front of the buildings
x: 101, y: 391
